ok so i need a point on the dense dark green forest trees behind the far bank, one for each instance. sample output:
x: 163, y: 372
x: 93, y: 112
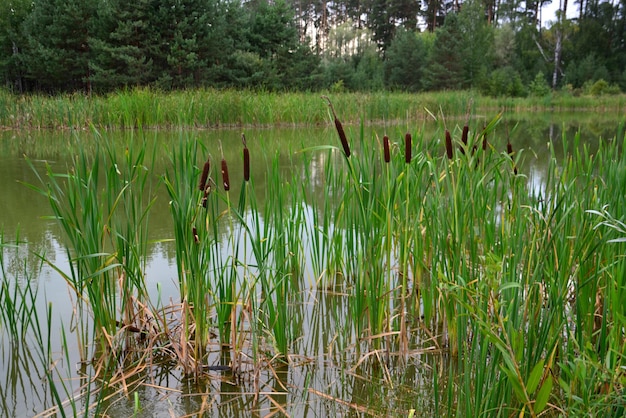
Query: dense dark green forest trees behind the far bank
x: 501, y: 48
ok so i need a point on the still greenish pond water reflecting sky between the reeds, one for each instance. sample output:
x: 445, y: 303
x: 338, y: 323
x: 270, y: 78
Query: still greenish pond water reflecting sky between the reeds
x: 331, y: 369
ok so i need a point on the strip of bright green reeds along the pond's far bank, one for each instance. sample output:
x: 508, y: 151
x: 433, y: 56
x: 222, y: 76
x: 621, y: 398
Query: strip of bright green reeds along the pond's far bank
x: 212, y: 108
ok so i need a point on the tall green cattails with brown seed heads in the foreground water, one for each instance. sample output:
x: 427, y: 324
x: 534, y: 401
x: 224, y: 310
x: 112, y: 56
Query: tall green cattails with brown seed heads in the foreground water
x: 375, y: 270
